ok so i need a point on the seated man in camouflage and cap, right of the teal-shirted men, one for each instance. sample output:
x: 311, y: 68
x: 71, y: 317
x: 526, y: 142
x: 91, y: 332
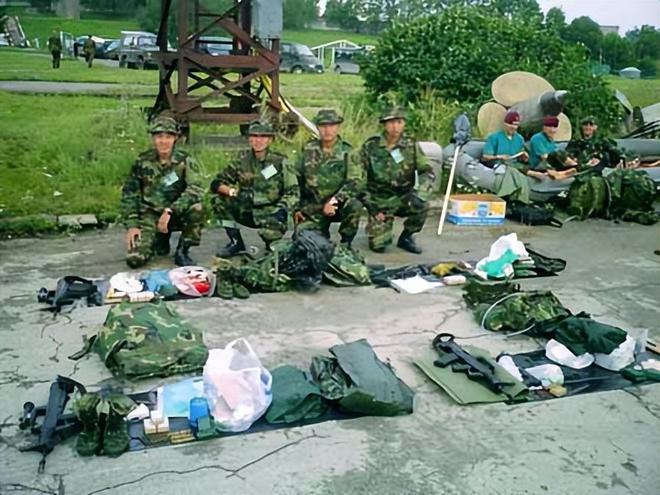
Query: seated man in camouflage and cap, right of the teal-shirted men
x: 591, y: 148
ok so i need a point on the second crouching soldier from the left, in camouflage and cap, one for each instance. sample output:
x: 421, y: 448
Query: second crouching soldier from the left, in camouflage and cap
x: 258, y: 189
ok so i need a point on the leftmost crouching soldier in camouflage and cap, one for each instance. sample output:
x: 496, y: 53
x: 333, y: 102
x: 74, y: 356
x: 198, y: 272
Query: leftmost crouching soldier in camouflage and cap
x: 162, y: 194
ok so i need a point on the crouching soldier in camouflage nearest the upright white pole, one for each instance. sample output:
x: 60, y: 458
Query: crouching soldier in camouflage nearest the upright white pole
x: 393, y: 162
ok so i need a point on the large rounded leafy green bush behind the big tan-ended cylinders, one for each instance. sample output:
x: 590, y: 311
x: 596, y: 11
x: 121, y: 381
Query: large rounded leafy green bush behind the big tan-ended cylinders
x: 459, y: 52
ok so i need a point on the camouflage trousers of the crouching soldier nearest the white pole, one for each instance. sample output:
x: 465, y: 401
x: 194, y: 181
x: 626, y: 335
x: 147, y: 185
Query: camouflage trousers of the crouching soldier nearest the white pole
x: 380, y: 231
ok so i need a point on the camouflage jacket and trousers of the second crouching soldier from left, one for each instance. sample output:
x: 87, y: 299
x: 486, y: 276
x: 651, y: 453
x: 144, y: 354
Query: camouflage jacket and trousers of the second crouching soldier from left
x: 265, y: 189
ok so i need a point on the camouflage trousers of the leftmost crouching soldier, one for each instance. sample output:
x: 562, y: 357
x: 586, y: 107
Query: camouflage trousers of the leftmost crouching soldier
x: 189, y: 222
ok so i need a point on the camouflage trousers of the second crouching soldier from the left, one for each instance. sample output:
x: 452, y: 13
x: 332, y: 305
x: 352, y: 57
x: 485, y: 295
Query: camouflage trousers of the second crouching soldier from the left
x: 231, y: 213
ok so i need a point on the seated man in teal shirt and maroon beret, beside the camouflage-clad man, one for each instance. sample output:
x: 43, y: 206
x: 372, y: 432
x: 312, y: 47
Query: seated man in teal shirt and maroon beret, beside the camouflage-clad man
x: 544, y: 155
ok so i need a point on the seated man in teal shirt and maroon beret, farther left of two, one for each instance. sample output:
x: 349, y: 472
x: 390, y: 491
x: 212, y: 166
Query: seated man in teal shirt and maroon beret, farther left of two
x: 505, y: 146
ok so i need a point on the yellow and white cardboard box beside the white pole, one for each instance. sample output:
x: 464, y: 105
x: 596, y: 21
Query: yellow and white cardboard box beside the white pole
x: 476, y: 209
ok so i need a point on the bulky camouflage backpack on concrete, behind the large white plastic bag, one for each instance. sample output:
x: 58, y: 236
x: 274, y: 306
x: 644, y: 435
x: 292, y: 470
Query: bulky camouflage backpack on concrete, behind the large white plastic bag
x: 140, y: 340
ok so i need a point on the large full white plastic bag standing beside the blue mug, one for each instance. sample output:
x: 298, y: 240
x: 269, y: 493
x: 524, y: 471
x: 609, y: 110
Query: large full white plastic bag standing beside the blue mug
x: 236, y: 385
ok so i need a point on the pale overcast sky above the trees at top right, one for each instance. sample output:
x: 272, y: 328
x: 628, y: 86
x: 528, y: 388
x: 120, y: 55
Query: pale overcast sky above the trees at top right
x: 627, y: 14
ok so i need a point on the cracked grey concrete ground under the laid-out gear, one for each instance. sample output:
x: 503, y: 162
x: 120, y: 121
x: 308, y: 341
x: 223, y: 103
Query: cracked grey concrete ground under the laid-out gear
x: 604, y: 443
